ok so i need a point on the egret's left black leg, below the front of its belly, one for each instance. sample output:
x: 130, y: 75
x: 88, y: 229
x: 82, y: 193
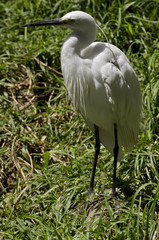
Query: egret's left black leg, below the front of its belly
x: 97, y: 150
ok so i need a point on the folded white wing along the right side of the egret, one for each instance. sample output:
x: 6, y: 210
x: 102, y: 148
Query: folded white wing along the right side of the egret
x: 123, y: 90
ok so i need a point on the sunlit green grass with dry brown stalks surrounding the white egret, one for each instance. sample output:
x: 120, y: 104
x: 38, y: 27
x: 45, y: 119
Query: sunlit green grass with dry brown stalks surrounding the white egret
x: 47, y: 149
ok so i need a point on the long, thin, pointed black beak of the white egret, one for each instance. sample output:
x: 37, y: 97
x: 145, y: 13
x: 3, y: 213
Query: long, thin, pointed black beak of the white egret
x: 57, y: 21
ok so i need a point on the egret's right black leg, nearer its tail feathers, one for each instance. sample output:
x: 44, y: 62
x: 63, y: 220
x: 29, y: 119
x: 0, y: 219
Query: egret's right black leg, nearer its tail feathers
x: 116, y: 150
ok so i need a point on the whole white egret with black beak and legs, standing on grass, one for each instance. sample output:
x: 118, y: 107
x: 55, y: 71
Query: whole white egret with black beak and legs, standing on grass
x: 102, y: 85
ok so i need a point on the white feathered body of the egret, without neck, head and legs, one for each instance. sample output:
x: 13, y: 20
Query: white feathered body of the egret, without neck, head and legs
x: 105, y: 90
